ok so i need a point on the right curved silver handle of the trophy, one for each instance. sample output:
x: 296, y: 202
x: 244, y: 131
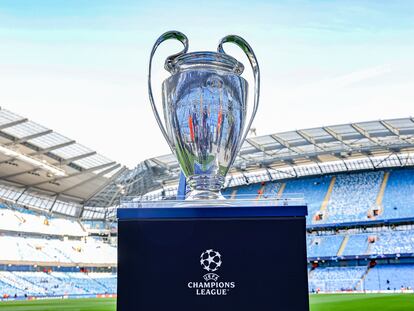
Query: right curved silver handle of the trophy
x: 240, y: 42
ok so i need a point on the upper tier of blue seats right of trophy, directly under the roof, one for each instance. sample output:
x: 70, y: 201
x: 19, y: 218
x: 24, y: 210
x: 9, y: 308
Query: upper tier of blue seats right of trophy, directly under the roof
x: 353, y: 197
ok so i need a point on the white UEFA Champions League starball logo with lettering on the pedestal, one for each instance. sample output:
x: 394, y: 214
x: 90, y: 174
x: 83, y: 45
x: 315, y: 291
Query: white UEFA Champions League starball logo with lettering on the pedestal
x: 211, y: 261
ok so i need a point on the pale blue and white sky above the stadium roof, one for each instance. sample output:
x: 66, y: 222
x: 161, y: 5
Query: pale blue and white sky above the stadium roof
x: 80, y: 67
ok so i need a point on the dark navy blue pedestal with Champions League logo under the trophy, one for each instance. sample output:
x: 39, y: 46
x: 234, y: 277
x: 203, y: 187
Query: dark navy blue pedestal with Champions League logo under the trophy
x: 212, y: 258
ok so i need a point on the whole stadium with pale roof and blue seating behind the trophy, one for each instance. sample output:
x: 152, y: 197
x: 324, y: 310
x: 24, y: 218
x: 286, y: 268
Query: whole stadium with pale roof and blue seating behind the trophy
x: 59, y: 199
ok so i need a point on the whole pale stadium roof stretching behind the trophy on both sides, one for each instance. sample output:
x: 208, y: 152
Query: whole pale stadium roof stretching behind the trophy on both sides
x: 41, y: 169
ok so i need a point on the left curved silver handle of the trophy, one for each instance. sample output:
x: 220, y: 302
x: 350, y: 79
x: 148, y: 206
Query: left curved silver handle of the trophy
x: 168, y: 66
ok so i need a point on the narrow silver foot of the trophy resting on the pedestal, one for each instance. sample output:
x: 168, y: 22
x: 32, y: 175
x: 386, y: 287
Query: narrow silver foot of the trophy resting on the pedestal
x: 205, y: 187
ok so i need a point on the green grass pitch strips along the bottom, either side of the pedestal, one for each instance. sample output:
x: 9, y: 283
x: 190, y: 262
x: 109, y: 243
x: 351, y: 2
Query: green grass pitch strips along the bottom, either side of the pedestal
x: 341, y: 302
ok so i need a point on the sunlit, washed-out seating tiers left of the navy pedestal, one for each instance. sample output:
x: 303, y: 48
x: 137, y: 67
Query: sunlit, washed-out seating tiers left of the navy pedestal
x: 29, y: 240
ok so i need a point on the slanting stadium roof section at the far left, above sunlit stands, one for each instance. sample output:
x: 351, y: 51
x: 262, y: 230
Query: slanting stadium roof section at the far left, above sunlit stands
x: 42, y: 169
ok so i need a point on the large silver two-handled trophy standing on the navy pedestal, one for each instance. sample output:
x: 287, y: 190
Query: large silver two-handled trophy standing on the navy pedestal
x: 205, y: 107
